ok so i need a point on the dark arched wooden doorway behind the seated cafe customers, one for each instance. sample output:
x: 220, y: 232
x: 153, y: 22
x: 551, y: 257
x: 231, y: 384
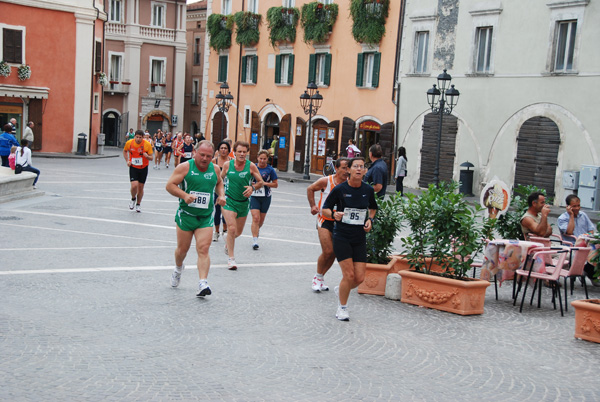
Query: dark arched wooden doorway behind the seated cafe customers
x: 537, y: 153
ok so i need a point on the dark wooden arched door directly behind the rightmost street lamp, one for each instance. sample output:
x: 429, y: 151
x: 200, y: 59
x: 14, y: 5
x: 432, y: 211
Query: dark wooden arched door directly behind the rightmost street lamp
x: 429, y: 148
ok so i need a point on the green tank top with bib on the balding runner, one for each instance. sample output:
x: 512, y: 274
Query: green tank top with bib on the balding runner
x: 202, y: 185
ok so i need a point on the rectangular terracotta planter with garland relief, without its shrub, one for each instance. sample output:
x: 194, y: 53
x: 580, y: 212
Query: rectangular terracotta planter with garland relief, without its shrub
x: 464, y: 297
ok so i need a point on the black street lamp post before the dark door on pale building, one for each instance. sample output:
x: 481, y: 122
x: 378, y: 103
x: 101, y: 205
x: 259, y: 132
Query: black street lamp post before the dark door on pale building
x: 442, y: 101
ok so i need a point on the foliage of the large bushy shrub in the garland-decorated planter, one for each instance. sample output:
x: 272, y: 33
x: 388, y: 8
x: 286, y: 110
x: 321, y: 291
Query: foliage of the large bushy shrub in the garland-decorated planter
x: 446, y: 230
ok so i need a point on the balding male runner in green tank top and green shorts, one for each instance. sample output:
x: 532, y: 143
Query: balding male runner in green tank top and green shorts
x: 195, y: 184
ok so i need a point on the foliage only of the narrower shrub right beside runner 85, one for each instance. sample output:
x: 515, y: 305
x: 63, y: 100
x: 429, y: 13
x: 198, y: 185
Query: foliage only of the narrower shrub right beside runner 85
x: 385, y: 228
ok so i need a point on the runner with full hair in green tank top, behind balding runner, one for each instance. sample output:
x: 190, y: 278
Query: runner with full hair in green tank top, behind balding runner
x: 239, y: 173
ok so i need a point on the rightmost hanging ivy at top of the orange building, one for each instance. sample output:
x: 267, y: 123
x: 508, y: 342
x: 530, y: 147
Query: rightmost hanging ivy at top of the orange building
x: 369, y: 20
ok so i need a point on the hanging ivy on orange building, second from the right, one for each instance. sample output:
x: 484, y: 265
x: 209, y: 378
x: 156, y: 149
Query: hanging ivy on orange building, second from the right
x: 317, y: 20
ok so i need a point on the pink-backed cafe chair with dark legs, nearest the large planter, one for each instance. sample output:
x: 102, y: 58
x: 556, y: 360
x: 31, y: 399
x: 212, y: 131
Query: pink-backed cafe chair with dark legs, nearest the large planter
x: 552, y: 277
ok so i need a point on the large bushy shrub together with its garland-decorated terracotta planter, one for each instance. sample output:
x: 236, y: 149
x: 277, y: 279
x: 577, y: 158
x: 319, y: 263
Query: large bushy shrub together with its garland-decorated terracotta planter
x: 446, y: 233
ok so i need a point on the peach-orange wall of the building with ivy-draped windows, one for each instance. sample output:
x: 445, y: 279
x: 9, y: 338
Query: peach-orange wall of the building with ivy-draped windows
x: 342, y: 98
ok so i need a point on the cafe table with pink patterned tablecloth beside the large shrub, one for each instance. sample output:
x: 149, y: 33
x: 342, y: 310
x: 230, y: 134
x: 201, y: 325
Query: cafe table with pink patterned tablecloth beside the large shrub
x: 508, y: 256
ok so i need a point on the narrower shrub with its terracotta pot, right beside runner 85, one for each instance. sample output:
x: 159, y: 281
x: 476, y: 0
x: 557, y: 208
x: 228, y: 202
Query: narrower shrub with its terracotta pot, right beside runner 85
x: 380, y: 261
